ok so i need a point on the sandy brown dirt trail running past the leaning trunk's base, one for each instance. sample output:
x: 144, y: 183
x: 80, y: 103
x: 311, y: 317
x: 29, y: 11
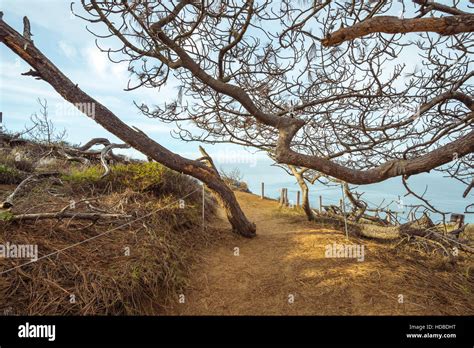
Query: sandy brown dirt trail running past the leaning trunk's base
x: 287, y: 261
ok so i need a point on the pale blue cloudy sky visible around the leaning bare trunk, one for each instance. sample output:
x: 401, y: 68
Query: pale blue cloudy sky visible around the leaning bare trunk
x: 64, y: 39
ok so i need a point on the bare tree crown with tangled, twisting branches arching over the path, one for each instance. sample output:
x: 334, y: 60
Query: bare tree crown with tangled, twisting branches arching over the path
x: 281, y: 77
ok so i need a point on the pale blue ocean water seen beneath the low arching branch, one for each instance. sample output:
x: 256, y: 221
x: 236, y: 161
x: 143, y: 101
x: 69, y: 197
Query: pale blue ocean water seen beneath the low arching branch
x: 445, y: 194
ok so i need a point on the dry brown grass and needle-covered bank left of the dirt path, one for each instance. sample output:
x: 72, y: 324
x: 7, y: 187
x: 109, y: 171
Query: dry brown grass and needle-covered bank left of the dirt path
x: 99, y: 276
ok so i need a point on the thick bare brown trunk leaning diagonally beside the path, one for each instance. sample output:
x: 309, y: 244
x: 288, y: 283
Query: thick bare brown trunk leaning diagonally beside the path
x: 138, y: 140
